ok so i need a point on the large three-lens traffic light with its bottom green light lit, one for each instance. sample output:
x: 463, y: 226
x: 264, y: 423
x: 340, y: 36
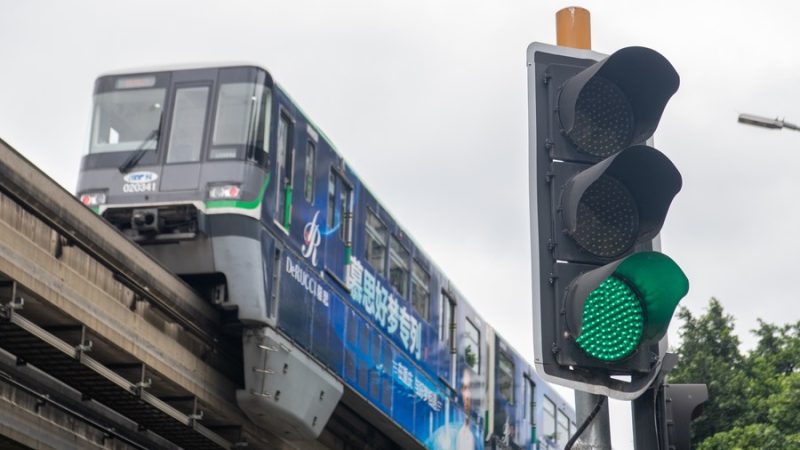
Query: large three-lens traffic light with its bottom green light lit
x: 603, y: 299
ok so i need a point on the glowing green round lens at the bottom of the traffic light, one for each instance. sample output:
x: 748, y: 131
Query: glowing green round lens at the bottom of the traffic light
x: 613, y: 321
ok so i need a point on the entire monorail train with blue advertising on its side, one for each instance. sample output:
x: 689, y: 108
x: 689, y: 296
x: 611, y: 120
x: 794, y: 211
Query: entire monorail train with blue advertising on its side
x: 218, y: 174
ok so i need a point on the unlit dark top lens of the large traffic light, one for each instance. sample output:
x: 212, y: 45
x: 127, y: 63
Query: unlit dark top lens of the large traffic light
x: 603, y: 119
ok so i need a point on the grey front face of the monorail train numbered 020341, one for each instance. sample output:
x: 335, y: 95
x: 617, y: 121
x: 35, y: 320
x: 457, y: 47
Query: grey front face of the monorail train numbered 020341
x: 179, y: 161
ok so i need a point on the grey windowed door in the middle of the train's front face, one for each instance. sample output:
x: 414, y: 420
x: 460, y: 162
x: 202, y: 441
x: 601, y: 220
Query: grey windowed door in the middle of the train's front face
x: 187, y: 129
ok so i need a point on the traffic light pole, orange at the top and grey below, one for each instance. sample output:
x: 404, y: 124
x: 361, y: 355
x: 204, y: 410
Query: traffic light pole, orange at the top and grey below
x: 573, y: 29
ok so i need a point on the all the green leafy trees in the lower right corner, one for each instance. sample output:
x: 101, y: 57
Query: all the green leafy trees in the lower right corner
x: 754, y: 399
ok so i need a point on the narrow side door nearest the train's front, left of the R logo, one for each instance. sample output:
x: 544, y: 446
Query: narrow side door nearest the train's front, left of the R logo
x: 284, y: 170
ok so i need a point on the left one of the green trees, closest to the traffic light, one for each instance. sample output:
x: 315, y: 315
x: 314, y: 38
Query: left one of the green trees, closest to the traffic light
x: 709, y: 353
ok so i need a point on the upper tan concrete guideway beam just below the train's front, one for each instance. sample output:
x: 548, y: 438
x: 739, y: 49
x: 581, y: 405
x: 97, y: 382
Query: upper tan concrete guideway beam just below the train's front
x: 88, y: 307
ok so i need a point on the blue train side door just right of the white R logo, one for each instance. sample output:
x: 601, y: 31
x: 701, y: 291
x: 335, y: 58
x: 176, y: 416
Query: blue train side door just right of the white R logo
x: 339, y: 224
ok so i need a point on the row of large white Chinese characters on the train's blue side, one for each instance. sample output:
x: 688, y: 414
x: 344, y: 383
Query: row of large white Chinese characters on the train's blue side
x: 384, y: 308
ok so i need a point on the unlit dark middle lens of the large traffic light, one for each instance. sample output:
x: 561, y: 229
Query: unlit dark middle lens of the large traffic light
x: 607, y: 218
